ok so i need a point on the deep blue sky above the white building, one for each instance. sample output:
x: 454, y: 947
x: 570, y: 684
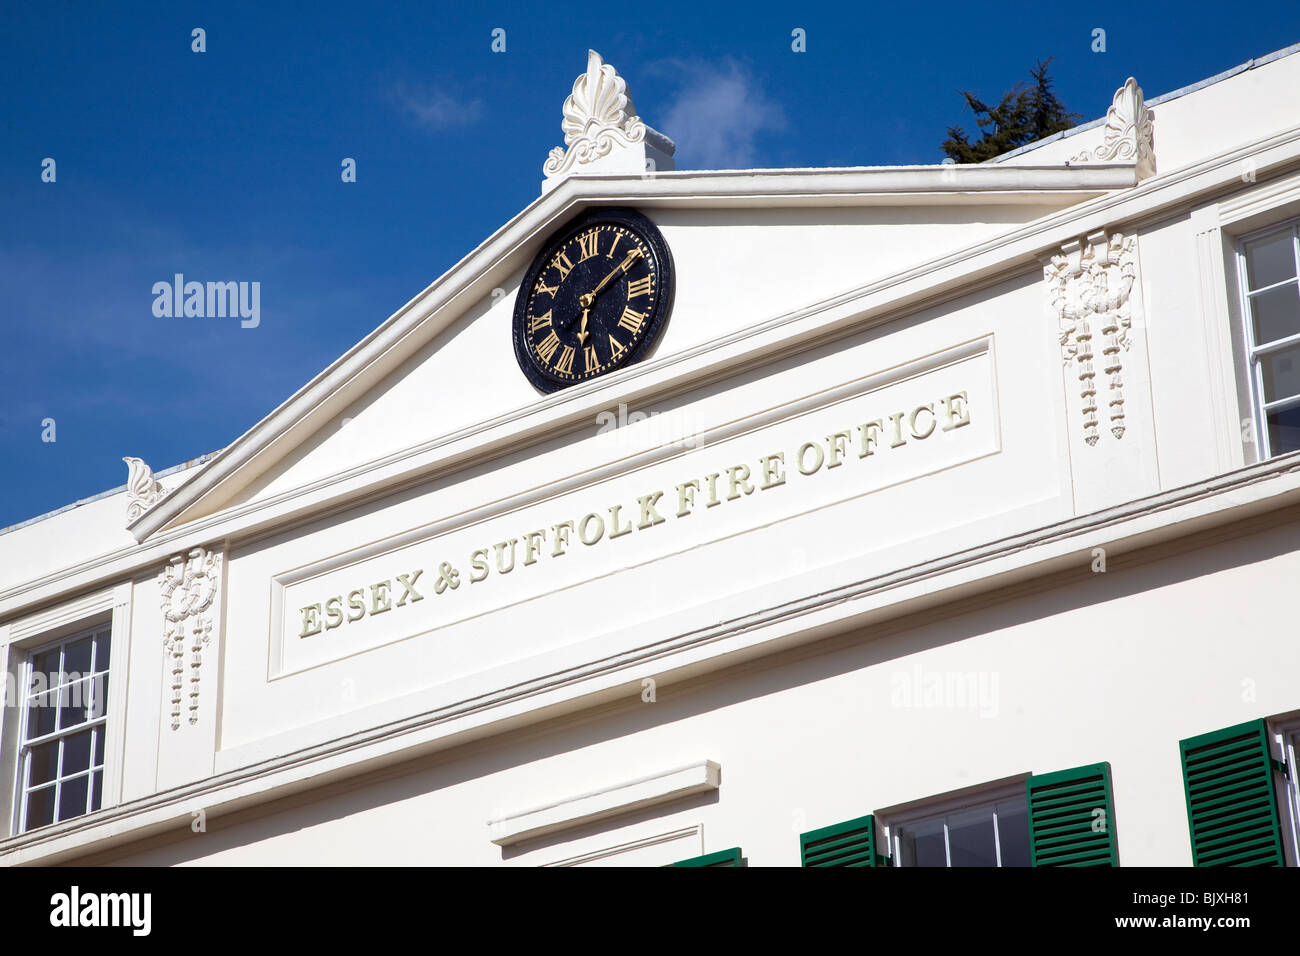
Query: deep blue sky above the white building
x: 226, y: 166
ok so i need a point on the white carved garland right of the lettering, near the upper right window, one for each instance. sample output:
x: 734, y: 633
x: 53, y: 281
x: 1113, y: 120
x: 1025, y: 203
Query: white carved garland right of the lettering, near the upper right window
x: 1089, y: 291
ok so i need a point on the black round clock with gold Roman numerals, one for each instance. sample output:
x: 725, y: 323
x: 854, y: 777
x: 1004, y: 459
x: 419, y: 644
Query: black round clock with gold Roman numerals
x: 595, y: 300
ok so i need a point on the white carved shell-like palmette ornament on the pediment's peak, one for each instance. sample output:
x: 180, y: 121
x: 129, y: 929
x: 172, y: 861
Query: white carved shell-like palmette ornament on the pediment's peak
x: 599, y: 116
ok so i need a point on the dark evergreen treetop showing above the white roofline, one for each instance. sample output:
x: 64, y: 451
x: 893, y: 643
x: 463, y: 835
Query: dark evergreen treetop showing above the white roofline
x: 1026, y: 114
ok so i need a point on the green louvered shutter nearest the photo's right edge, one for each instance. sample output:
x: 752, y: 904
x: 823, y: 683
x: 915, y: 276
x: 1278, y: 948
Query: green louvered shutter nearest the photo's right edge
x: 1232, y: 811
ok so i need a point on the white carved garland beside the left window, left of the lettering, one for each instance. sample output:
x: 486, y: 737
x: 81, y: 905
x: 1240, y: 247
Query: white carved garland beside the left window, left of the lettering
x: 188, y: 587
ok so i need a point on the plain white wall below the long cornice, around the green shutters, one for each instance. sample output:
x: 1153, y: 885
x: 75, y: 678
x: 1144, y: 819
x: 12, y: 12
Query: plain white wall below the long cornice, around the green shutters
x: 1106, y: 668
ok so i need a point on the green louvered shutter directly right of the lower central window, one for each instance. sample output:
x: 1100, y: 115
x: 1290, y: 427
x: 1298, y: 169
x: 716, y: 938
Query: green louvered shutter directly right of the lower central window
x: 1065, y: 825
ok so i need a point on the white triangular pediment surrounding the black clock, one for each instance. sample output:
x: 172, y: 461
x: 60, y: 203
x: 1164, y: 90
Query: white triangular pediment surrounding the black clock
x: 439, y: 383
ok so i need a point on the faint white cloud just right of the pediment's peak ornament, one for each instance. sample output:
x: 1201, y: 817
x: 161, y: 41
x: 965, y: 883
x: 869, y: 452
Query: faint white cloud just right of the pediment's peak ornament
x: 718, y: 115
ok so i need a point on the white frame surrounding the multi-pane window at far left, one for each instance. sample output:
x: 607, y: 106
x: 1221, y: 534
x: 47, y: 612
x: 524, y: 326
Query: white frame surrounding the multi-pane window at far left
x: 20, y: 641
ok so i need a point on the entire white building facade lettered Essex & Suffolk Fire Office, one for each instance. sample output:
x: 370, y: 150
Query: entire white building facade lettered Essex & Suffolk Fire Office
x: 933, y: 516
